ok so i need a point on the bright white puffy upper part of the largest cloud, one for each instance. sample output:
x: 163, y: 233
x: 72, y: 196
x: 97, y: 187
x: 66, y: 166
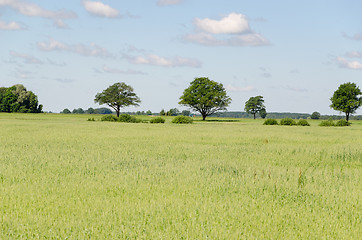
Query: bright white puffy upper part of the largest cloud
x: 231, y: 24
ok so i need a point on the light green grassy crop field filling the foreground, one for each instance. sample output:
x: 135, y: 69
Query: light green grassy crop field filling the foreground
x: 63, y: 177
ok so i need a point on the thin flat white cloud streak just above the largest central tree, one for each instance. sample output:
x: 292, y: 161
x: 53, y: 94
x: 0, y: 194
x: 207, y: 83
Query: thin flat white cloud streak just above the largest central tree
x: 155, y: 60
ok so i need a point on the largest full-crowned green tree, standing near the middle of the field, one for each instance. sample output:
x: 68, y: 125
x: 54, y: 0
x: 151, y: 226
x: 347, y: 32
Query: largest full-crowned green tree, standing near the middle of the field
x: 205, y: 96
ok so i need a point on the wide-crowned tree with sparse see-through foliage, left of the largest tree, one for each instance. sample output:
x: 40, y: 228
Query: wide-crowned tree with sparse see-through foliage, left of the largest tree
x: 117, y: 96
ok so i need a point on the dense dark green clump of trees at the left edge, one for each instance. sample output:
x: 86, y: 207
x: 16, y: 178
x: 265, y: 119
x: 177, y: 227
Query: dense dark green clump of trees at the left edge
x: 18, y: 99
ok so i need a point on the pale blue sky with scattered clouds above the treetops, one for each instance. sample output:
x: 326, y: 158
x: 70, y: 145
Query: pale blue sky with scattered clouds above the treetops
x: 293, y: 53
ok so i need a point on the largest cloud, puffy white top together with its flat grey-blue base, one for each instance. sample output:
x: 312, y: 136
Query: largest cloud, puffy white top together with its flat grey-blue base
x: 232, y: 30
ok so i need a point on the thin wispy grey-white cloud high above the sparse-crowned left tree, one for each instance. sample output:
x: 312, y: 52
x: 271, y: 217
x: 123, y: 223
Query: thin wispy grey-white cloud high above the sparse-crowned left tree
x: 81, y: 49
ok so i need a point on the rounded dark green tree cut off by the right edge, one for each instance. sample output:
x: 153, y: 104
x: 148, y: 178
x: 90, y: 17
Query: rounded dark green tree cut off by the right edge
x: 346, y: 99
